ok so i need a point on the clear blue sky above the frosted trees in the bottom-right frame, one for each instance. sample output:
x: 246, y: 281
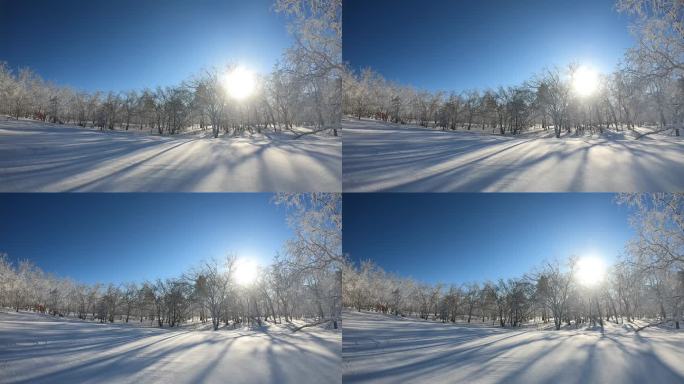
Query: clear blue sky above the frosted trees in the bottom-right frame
x: 460, y: 238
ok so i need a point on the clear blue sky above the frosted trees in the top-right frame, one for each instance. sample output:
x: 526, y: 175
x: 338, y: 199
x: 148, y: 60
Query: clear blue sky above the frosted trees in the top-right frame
x: 457, y: 45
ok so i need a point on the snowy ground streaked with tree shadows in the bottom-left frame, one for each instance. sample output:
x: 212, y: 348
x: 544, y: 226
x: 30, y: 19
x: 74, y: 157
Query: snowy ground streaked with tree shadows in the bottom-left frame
x: 41, y: 349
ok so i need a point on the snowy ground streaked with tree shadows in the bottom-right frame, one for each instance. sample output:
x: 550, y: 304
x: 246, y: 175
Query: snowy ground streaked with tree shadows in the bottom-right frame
x: 385, y: 349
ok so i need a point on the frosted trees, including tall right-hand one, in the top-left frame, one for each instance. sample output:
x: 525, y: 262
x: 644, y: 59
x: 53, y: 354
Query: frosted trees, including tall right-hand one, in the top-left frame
x: 302, y: 90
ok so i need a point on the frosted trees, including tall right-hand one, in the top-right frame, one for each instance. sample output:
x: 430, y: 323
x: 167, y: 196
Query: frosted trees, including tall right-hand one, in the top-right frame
x: 647, y: 90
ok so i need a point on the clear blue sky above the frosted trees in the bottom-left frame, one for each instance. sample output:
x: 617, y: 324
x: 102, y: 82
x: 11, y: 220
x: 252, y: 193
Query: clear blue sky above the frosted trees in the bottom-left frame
x: 132, y: 237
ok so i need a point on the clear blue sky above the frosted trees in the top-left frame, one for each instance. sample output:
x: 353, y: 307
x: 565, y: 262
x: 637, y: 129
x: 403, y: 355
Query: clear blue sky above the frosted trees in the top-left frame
x: 131, y: 44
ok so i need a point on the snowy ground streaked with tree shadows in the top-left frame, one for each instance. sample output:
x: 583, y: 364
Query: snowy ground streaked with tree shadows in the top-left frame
x: 42, y: 157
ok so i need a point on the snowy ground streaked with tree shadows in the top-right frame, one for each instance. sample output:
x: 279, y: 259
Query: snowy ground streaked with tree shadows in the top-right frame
x: 388, y: 157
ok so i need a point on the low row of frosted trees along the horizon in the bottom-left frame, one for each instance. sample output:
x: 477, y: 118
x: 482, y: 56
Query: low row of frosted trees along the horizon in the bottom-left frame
x: 207, y: 293
